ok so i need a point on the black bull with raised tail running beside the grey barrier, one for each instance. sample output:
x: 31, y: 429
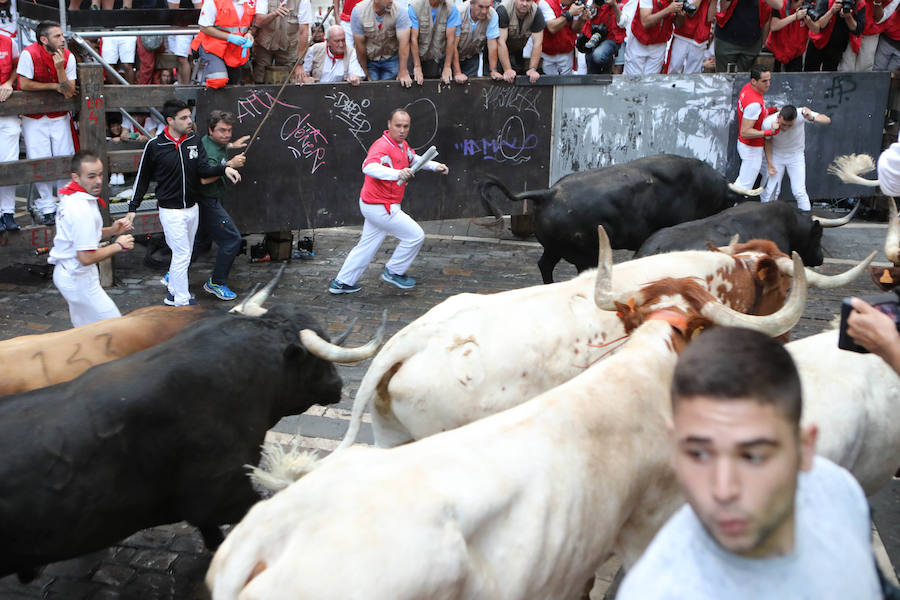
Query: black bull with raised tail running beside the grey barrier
x: 631, y: 201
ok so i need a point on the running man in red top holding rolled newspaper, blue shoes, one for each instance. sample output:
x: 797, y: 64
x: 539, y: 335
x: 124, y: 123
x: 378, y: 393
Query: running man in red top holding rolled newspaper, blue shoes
x: 387, y: 170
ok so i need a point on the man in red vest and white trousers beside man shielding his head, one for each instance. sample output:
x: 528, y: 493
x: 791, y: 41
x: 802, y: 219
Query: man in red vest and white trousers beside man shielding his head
x: 750, y: 114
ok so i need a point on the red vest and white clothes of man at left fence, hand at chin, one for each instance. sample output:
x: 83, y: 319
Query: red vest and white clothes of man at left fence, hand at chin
x: 46, y: 134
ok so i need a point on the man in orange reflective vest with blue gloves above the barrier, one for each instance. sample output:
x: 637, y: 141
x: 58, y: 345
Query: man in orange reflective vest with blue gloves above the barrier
x: 224, y: 40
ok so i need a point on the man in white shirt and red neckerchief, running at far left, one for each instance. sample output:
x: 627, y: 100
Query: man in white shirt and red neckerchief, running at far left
x: 76, y: 246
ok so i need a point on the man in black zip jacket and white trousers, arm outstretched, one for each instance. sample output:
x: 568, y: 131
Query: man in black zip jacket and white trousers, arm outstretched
x: 176, y: 160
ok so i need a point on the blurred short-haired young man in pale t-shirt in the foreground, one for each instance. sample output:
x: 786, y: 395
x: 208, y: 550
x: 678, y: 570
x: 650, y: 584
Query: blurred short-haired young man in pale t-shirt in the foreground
x: 765, y: 517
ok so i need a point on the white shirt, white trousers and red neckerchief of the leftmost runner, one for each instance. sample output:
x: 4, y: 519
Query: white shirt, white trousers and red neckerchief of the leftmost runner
x: 79, y: 226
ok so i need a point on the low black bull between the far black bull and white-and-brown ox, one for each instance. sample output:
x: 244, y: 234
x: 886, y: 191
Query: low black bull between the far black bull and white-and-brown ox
x: 791, y: 230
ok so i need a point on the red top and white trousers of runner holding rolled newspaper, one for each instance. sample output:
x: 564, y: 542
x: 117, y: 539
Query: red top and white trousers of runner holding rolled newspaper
x: 379, y: 204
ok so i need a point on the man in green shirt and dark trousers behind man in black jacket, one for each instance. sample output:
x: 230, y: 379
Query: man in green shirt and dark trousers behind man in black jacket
x: 215, y: 223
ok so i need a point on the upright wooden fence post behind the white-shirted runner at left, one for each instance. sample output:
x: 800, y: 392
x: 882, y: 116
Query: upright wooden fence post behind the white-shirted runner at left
x: 92, y: 135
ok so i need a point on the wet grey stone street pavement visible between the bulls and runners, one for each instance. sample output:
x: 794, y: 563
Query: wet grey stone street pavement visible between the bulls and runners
x: 169, y: 562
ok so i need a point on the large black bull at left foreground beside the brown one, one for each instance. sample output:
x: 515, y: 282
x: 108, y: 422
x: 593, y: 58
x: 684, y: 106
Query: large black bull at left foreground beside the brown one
x: 156, y: 437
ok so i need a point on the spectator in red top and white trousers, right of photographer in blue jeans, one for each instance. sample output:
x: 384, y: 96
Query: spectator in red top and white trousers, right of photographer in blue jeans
x: 651, y: 30
